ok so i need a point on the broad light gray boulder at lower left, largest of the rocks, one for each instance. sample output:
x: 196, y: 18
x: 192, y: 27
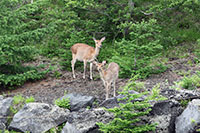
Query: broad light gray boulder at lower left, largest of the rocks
x: 38, y: 118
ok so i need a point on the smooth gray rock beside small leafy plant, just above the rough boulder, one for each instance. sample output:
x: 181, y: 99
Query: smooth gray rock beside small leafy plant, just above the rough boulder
x: 78, y: 101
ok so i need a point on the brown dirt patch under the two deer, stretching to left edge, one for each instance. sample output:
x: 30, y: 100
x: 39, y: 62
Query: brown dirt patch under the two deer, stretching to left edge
x: 51, y: 88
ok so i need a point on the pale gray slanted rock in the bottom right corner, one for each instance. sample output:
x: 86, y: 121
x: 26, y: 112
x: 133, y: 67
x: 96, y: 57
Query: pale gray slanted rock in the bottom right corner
x: 190, y: 117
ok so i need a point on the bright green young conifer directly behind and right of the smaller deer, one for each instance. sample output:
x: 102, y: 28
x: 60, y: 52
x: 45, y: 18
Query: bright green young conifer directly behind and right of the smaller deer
x: 134, y: 54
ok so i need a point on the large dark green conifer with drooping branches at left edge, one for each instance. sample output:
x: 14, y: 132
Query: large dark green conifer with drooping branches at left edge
x: 20, y: 30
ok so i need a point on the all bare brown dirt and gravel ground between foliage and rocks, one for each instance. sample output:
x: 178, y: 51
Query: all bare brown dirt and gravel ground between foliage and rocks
x: 51, y: 88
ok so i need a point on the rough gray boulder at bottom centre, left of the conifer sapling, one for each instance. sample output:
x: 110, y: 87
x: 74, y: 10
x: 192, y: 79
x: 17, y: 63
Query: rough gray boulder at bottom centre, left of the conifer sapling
x: 84, y: 121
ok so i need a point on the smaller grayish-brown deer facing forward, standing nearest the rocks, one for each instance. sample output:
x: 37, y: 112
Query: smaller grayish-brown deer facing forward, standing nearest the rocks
x: 108, y: 76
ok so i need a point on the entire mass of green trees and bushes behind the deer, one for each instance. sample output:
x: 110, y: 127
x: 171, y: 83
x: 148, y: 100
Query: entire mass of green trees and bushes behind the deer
x: 136, y: 33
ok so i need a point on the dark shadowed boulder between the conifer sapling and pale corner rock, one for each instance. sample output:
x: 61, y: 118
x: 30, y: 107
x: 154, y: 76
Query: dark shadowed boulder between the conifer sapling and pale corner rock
x: 164, y: 113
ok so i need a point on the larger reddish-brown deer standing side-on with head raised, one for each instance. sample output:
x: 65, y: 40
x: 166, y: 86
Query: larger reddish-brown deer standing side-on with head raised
x: 85, y: 53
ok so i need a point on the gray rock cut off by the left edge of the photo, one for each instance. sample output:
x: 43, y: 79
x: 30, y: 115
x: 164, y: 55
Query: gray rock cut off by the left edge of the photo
x: 4, y: 111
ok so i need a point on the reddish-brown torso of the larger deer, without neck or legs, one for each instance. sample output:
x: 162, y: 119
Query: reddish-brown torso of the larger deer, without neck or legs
x: 82, y: 51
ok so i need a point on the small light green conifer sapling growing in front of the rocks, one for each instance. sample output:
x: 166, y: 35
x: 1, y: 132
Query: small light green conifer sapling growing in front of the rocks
x: 127, y: 117
